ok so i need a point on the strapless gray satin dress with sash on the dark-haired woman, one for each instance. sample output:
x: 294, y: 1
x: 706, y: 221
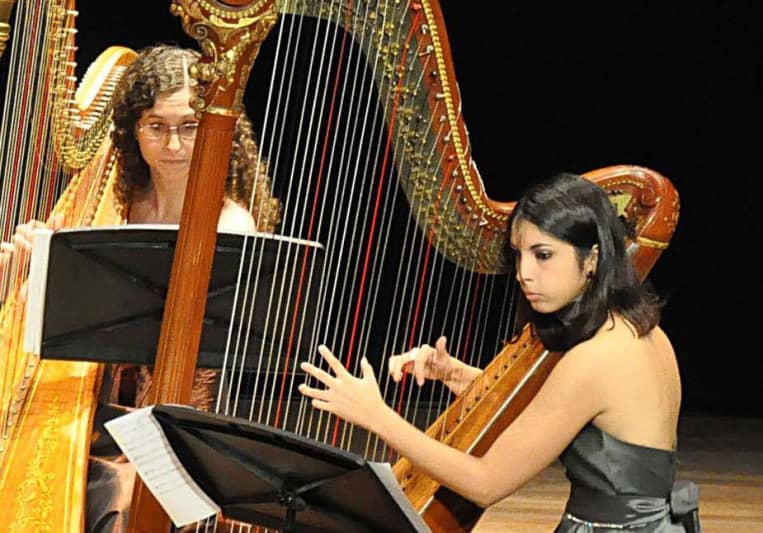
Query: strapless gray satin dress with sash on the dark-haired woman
x: 618, y: 486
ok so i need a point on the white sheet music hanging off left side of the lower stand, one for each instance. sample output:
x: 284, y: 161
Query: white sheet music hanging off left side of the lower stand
x: 142, y: 440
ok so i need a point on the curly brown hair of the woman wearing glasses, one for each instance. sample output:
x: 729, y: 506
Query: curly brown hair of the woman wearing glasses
x: 164, y: 68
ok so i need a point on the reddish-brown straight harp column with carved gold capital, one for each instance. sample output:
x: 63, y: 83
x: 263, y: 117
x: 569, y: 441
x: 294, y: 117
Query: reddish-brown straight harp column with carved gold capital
x: 230, y: 34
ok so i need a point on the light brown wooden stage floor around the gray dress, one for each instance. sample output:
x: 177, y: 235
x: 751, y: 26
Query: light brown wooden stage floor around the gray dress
x: 724, y: 456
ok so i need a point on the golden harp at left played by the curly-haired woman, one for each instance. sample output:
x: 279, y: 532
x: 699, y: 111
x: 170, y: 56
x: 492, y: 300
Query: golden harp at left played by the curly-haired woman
x: 57, y: 159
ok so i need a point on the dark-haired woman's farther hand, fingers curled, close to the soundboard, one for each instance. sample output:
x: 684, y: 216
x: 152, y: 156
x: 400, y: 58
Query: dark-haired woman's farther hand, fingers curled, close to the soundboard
x: 427, y: 362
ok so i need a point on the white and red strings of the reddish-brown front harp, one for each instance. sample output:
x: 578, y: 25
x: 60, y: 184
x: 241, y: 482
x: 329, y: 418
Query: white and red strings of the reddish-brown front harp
x: 329, y: 179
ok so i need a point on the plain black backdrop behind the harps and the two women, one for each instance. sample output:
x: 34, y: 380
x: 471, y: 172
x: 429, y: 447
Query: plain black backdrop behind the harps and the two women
x: 552, y: 86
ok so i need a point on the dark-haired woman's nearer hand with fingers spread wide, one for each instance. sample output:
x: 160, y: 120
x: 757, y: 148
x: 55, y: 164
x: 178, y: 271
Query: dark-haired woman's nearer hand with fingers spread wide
x: 356, y: 400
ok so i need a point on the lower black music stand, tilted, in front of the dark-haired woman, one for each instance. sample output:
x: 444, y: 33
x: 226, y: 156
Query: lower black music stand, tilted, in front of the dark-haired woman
x: 277, y: 479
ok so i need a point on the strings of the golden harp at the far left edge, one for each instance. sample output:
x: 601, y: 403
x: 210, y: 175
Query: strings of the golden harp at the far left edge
x: 30, y: 170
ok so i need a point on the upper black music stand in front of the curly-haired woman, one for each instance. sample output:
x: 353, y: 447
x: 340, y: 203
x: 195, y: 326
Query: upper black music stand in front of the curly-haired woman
x: 101, y: 292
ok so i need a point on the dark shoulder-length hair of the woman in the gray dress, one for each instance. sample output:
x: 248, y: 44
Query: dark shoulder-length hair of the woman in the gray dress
x: 578, y: 212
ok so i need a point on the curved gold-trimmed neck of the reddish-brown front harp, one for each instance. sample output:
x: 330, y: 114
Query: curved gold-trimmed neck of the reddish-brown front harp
x: 413, y: 83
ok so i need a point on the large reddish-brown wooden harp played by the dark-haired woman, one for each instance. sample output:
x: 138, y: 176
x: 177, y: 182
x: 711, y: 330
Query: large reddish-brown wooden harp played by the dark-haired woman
x: 424, y: 144
